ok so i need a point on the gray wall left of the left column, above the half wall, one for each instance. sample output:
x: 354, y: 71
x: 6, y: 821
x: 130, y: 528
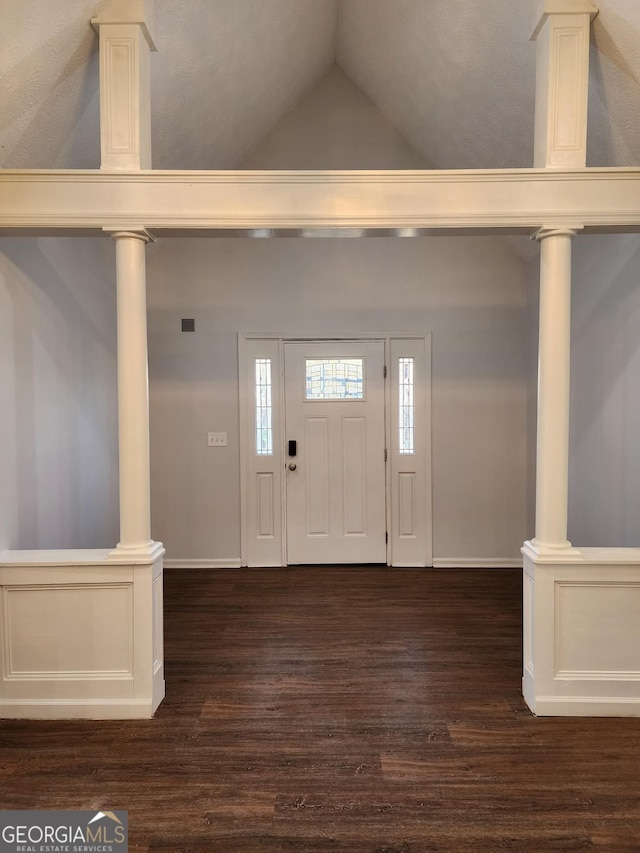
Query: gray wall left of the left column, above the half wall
x: 58, y: 429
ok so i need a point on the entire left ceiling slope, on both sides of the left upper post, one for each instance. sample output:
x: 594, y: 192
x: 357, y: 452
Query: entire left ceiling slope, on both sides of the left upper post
x: 224, y: 74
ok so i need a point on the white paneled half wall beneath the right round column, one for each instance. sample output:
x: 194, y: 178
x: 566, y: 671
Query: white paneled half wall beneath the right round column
x: 582, y: 632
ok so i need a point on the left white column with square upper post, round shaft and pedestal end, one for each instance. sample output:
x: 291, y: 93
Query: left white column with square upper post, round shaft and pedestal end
x: 126, y: 30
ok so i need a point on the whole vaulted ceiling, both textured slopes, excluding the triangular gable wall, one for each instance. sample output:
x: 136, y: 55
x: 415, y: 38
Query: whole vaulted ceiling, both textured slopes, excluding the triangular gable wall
x: 456, y: 77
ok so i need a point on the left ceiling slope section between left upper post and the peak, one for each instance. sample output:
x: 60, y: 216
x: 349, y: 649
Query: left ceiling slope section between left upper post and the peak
x: 229, y: 70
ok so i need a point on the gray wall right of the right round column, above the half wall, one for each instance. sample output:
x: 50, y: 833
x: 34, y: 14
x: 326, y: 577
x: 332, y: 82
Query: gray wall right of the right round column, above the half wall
x: 604, y: 474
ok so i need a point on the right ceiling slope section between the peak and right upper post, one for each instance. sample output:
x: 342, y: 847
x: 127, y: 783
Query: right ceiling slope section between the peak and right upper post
x: 457, y: 78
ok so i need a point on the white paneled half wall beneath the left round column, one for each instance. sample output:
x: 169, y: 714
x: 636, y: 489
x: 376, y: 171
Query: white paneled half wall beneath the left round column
x: 81, y: 635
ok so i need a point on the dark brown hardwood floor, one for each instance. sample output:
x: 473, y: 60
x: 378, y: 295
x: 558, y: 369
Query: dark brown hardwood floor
x: 340, y: 710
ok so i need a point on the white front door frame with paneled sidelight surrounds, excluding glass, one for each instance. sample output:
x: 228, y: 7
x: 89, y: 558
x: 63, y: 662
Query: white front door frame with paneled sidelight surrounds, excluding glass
x: 408, y: 477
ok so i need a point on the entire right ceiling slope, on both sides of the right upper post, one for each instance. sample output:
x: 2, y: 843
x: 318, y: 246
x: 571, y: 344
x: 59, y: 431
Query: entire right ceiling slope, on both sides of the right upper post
x: 457, y: 77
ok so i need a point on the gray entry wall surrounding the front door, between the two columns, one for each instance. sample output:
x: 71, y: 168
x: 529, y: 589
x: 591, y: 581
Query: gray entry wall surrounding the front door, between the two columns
x: 470, y: 293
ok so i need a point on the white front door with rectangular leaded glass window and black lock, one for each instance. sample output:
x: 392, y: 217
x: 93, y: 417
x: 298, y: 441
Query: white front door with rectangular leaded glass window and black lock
x: 335, y: 452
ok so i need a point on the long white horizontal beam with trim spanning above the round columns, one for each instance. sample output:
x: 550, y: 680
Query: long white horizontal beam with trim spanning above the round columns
x: 263, y: 202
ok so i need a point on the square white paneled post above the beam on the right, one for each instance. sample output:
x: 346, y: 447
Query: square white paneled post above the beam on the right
x: 561, y: 32
